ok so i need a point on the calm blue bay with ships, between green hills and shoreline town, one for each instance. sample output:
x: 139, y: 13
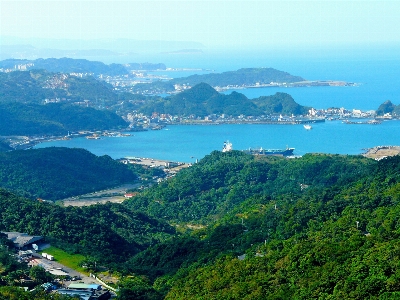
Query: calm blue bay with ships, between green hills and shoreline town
x: 188, y: 143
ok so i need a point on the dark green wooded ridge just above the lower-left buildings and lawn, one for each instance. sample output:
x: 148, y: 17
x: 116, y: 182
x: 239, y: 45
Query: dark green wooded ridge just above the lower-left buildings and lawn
x: 107, y: 233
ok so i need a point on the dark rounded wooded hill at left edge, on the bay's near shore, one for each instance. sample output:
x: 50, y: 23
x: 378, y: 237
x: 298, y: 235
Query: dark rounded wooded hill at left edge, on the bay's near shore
x: 56, y: 173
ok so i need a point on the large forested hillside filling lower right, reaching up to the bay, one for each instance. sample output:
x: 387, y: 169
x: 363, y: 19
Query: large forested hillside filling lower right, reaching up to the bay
x: 317, y: 227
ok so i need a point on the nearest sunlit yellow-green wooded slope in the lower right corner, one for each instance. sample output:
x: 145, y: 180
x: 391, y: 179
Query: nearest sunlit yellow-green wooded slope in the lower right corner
x: 339, y: 242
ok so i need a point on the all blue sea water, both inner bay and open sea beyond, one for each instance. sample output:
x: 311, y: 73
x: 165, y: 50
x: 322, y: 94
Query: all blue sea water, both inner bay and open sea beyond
x: 378, y: 77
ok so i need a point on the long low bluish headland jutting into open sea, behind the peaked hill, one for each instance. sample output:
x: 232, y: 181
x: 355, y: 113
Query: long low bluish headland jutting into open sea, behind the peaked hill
x: 241, y: 77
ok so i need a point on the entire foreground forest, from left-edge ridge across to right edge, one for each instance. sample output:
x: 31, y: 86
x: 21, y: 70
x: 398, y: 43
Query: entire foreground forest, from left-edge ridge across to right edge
x: 246, y: 227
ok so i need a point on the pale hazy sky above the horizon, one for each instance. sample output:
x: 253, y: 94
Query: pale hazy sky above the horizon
x: 212, y: 23
